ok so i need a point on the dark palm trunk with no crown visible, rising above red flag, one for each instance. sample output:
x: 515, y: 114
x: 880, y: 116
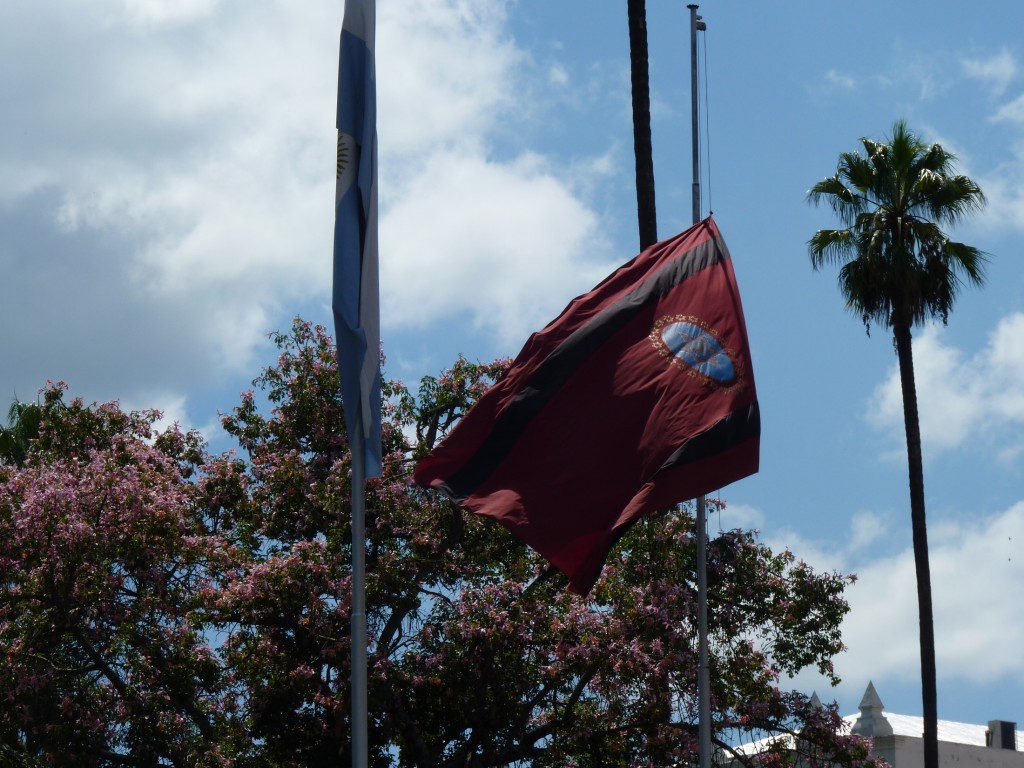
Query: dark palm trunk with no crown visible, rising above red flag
x: 639, y: 75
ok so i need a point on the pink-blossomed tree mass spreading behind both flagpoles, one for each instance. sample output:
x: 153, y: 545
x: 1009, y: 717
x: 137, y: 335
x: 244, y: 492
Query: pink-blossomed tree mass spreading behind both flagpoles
x: 162, y: 607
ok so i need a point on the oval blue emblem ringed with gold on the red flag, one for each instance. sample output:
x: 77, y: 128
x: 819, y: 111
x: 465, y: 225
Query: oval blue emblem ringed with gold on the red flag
x: 694, y: 347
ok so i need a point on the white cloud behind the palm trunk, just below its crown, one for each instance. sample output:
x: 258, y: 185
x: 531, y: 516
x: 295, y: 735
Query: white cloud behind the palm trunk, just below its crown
x: 960, y: 399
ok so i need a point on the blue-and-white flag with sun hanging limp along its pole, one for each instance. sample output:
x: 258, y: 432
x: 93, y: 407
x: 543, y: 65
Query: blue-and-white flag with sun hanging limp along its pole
x: 357, y: 294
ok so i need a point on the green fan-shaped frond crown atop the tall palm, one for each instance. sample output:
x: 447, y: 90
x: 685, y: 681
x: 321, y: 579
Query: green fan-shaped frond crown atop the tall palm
x: 897, y: 265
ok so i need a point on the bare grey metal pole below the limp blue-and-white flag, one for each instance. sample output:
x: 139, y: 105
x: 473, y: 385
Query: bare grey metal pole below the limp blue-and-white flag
x: 359, y: 616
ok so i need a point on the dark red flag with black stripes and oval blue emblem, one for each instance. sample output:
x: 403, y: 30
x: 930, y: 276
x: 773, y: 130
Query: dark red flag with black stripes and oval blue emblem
x: 639, y: 396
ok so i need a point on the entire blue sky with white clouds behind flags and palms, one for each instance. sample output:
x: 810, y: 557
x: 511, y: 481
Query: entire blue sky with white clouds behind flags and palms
x: 166, y: 188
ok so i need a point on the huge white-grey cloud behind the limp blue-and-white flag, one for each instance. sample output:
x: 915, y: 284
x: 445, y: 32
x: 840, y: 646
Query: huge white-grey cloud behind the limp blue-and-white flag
x: 177, y: 163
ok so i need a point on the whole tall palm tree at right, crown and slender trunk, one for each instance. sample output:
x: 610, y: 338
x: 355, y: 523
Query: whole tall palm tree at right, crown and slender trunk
x: 899, y: 269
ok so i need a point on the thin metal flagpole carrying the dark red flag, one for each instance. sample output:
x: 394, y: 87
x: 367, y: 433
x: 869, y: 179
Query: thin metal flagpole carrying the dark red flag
x: 701, y: 522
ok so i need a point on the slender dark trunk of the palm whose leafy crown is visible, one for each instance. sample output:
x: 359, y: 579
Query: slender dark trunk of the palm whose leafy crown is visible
x: 905, y: 352
